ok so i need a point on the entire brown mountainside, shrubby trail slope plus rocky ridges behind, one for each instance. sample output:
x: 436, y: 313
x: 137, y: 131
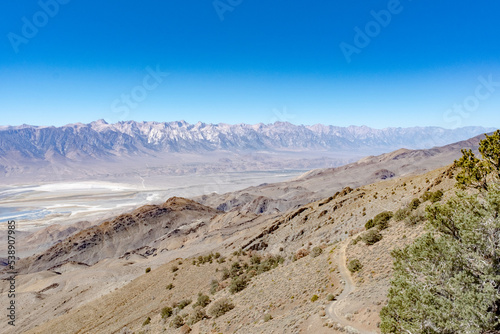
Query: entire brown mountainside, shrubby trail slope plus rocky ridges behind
x: 283, y: 271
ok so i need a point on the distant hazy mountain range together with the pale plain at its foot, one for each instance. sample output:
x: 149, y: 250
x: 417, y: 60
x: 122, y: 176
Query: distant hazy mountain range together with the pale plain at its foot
x: 142, y: 152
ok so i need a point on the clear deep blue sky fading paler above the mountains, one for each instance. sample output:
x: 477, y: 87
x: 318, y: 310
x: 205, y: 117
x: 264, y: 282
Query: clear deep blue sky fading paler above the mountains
x: 241, y: 61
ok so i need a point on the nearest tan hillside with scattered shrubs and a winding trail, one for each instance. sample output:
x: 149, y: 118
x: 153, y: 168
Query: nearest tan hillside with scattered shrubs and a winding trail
x: 316, y: 243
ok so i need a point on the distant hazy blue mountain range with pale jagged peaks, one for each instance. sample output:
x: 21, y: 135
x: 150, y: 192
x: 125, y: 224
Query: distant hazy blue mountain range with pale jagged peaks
x: 102, y: 140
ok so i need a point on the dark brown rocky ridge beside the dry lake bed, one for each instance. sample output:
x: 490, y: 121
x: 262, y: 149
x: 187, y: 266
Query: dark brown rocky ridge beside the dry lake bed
x: 134, y: 231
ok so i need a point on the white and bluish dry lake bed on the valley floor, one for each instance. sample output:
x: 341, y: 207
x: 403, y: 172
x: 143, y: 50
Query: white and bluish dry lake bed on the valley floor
x: 37, y: 205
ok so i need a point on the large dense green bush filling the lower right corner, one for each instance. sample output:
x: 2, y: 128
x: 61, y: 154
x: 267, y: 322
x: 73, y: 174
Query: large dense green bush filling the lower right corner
x: 447, y: 280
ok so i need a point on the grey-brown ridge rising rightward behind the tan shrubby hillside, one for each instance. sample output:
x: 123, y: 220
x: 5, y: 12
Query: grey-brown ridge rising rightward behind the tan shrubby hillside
x: 321, y: 183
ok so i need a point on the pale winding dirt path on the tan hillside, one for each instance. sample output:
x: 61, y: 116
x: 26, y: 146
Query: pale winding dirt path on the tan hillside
x: 332, y: 311
